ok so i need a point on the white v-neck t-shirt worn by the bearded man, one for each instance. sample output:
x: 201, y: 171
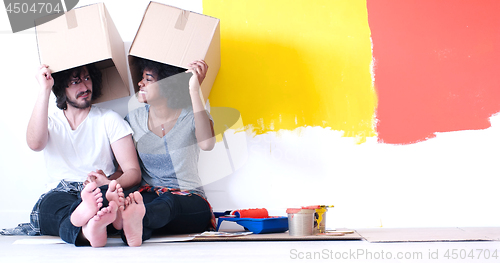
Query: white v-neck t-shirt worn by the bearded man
x: 71, y: 154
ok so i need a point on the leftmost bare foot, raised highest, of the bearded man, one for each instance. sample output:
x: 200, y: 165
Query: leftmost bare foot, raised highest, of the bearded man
x: 91, y: 203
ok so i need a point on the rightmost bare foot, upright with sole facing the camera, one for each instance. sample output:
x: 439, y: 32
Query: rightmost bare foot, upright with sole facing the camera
x: 133, y: 212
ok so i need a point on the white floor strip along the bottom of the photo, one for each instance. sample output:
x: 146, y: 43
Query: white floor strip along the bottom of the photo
x: 309, y: 251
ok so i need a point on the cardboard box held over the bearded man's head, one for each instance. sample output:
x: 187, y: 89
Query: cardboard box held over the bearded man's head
x: 82, y: 36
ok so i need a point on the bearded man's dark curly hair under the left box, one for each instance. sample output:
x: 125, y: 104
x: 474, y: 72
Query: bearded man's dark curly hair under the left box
x: 62, y: 78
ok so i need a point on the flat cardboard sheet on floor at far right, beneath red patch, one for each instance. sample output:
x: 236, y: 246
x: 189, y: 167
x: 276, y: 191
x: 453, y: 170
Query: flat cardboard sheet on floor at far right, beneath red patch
x: 379, y: 235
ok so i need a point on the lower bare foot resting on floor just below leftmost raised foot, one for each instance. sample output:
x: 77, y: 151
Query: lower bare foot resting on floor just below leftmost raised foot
x: 95, y: 230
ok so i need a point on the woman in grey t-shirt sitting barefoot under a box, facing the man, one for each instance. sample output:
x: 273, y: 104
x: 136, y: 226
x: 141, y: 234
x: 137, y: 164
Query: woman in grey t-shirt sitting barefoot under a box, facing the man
x: 169, y: 132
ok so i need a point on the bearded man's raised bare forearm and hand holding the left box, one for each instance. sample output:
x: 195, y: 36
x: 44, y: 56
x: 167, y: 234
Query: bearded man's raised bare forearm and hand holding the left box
x: 37, y: 133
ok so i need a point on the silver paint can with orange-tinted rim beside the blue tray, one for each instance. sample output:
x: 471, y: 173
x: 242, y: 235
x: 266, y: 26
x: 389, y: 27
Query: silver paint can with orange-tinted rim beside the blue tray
x: 300, y: 221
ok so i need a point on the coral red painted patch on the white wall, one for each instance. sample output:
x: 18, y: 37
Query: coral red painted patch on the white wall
x: 436, y: 66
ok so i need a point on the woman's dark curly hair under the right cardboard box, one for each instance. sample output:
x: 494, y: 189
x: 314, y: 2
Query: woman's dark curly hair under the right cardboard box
x: 173, y: 86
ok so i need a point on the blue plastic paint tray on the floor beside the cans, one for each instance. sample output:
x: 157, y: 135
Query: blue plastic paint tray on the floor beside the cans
x: 273, y: 224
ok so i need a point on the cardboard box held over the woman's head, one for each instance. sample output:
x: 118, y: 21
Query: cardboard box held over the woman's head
x: 177, y: 37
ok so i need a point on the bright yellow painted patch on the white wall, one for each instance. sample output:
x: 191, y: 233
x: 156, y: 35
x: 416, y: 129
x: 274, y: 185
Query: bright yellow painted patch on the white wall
x: 290, y: 64
